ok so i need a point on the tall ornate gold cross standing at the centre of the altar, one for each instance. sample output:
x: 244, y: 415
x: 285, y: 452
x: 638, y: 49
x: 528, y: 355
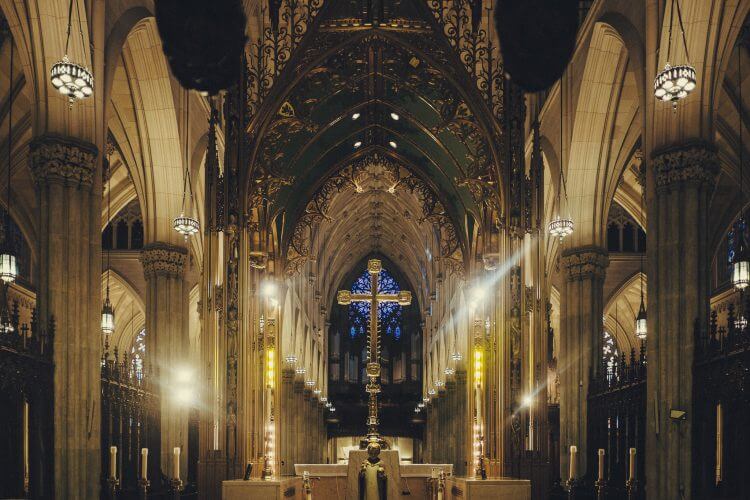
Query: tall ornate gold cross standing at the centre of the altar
x: 345, y: 297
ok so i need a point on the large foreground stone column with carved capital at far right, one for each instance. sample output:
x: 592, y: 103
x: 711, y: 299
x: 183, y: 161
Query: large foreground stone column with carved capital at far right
x: 678, y: 294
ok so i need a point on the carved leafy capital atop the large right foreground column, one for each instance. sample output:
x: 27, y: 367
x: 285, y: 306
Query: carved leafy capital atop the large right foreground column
x: 696, y: 162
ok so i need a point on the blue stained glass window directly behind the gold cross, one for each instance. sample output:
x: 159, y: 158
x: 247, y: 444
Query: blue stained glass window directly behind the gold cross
x: 389, y: 313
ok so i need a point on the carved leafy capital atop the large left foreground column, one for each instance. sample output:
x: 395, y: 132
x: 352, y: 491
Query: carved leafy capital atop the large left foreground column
x: 64, y: 160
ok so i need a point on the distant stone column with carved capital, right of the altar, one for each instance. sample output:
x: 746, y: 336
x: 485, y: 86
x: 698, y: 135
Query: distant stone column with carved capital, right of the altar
x: 582, y: 308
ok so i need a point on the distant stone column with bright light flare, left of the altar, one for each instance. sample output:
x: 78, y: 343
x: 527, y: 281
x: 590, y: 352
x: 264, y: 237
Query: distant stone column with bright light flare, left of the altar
x: 167, y: 342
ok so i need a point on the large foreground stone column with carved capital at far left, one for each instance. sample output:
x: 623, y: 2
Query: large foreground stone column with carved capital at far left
x: 69, y: 222
